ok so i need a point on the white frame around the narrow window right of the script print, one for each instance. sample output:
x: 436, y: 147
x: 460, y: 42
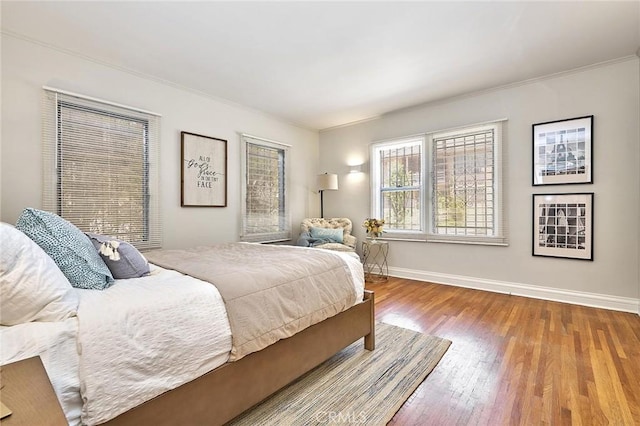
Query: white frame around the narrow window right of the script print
x: 284, y: 233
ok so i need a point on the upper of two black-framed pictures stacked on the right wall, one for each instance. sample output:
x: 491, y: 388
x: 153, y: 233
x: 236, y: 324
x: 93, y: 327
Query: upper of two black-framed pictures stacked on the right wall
x: 563, y: 151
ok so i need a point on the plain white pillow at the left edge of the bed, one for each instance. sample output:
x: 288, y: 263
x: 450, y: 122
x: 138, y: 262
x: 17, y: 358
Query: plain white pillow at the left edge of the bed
x: 32, y: 287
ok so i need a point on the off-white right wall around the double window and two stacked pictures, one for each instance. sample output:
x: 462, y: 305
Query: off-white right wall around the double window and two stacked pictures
x: 609, y: 92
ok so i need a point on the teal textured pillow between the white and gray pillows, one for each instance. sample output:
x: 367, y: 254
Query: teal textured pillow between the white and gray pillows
x: 72, y: 251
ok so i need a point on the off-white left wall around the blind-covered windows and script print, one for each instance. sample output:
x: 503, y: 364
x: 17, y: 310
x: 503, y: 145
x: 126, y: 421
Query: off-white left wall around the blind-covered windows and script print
x: 26, y: 67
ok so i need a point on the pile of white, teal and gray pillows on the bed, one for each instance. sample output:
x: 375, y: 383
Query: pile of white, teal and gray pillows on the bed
x: 44, y: 256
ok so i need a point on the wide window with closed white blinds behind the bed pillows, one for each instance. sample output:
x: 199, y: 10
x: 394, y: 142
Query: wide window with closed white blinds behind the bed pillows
x: 101, y: 167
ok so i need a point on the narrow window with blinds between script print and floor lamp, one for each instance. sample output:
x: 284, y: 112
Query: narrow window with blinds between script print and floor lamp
x: 265, y: 212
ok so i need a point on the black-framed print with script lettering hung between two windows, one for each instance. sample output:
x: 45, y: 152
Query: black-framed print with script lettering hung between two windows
x: 203, y: 171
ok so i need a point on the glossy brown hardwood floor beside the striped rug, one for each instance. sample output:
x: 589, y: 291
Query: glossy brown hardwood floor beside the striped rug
x: 516, y: 360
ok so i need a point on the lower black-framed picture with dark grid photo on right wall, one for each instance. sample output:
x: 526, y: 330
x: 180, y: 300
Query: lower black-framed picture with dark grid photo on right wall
x: 563, y: 225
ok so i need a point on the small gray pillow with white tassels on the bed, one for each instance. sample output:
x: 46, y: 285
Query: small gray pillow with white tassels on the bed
x: 122, y: 259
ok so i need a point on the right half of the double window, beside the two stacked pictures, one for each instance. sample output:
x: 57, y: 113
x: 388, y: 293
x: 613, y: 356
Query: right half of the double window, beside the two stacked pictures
x: 466, y: 186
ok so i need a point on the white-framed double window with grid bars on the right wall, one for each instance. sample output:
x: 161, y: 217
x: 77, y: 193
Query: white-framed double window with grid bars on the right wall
x: 443, y: 186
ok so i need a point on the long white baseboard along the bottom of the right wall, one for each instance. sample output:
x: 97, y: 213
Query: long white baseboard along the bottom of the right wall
x: 616, y: 303
